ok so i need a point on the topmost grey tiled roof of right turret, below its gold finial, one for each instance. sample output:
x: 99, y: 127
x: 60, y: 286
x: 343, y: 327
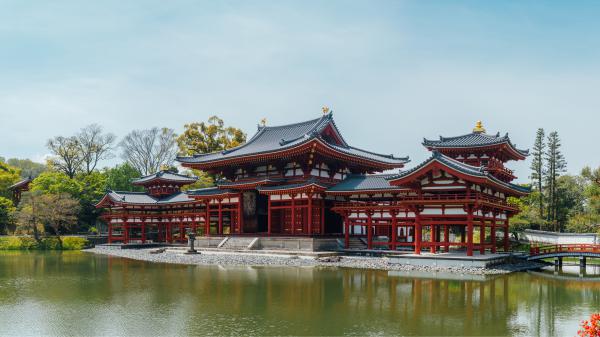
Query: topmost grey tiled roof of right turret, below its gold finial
x: 473, y: 139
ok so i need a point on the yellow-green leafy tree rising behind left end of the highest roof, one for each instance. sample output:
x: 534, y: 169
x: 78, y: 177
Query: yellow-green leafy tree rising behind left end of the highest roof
x: 209, y: 137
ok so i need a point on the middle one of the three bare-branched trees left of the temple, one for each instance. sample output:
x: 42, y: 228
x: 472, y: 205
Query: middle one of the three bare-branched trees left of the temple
x: 94, y: 146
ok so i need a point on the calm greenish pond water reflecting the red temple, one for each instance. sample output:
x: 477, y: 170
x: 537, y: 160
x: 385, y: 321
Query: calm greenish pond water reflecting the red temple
x: 84, y: 294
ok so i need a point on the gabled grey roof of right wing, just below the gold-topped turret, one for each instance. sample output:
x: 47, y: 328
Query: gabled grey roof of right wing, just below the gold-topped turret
x: 465, y: 169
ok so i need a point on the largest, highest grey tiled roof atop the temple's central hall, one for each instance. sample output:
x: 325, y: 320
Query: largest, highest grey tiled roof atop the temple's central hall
x: 274, y: 139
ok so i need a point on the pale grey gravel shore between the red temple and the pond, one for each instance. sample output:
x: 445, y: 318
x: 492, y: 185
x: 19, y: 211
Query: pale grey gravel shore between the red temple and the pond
x: 250, y: 259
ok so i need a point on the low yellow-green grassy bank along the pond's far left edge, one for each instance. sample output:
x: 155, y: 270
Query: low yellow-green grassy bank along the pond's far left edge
x: 47, y: 243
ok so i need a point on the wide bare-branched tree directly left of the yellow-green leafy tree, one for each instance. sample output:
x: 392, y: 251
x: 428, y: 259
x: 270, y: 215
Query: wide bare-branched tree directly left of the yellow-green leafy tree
x: 149, y: 150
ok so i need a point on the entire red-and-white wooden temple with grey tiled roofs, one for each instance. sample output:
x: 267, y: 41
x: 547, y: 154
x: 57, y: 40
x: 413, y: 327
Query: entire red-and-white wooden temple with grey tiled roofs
x: 304, y: 179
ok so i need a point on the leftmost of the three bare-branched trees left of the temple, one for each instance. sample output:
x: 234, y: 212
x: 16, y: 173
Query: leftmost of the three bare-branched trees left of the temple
x: 66, y: 155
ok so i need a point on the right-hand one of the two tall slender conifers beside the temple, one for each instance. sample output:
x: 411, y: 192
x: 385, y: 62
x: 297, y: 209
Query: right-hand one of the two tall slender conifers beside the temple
x: 555, y: 165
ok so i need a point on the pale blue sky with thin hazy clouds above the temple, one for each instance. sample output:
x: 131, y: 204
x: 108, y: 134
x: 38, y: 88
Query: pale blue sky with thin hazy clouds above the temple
x: 393, y: 72
